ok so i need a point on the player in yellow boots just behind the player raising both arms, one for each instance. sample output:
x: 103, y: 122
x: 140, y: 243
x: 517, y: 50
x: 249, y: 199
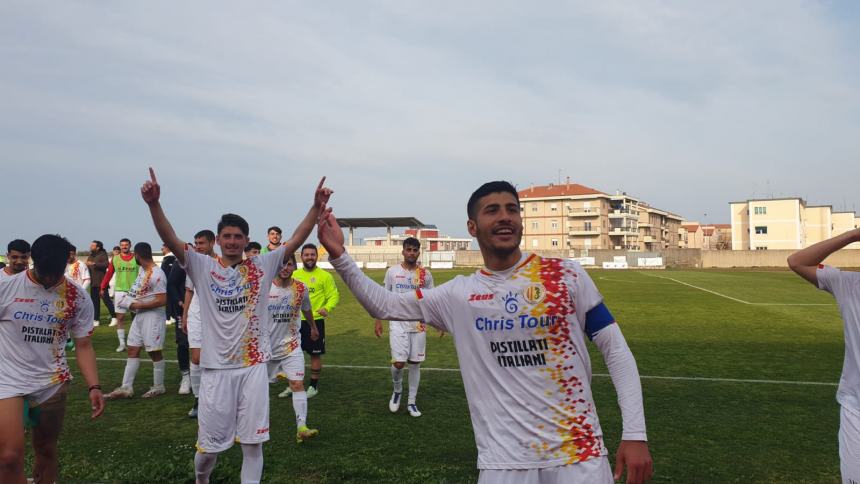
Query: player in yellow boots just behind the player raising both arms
x: 287, y: 298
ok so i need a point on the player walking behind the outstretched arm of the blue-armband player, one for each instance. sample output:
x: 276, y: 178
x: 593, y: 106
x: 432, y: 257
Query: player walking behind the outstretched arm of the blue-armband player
x: 408, y: 339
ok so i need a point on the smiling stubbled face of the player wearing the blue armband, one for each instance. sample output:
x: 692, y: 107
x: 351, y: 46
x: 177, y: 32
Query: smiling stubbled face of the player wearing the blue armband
x: 498, y: 225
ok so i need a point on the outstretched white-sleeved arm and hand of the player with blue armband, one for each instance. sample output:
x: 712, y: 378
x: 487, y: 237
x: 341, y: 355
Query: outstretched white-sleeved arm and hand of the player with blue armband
x: 380, y: 303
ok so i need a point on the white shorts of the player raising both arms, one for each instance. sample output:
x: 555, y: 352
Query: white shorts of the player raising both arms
x: 234, y: 407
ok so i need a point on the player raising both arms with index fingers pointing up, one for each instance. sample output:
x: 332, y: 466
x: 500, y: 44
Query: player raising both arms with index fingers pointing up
x: 234, y: 387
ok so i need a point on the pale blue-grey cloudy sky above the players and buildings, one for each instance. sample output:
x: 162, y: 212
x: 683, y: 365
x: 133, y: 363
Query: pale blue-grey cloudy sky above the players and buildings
x: 408, y: 106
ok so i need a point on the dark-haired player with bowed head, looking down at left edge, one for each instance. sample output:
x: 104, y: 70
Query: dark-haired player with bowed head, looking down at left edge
x: 38, y: 308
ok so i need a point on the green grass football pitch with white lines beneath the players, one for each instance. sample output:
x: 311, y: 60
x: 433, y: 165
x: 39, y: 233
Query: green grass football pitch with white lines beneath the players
x: 768, y: 346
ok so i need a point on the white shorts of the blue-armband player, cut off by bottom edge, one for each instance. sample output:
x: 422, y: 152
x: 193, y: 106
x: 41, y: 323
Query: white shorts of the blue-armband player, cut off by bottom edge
x: 592, y: 471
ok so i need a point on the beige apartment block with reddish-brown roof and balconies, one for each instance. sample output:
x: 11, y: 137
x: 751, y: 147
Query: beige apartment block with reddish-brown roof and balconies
x: 574, y: 216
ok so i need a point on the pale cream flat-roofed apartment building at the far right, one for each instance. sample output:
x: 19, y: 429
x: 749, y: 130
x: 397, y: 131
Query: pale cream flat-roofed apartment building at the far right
x: 786, y: 223
